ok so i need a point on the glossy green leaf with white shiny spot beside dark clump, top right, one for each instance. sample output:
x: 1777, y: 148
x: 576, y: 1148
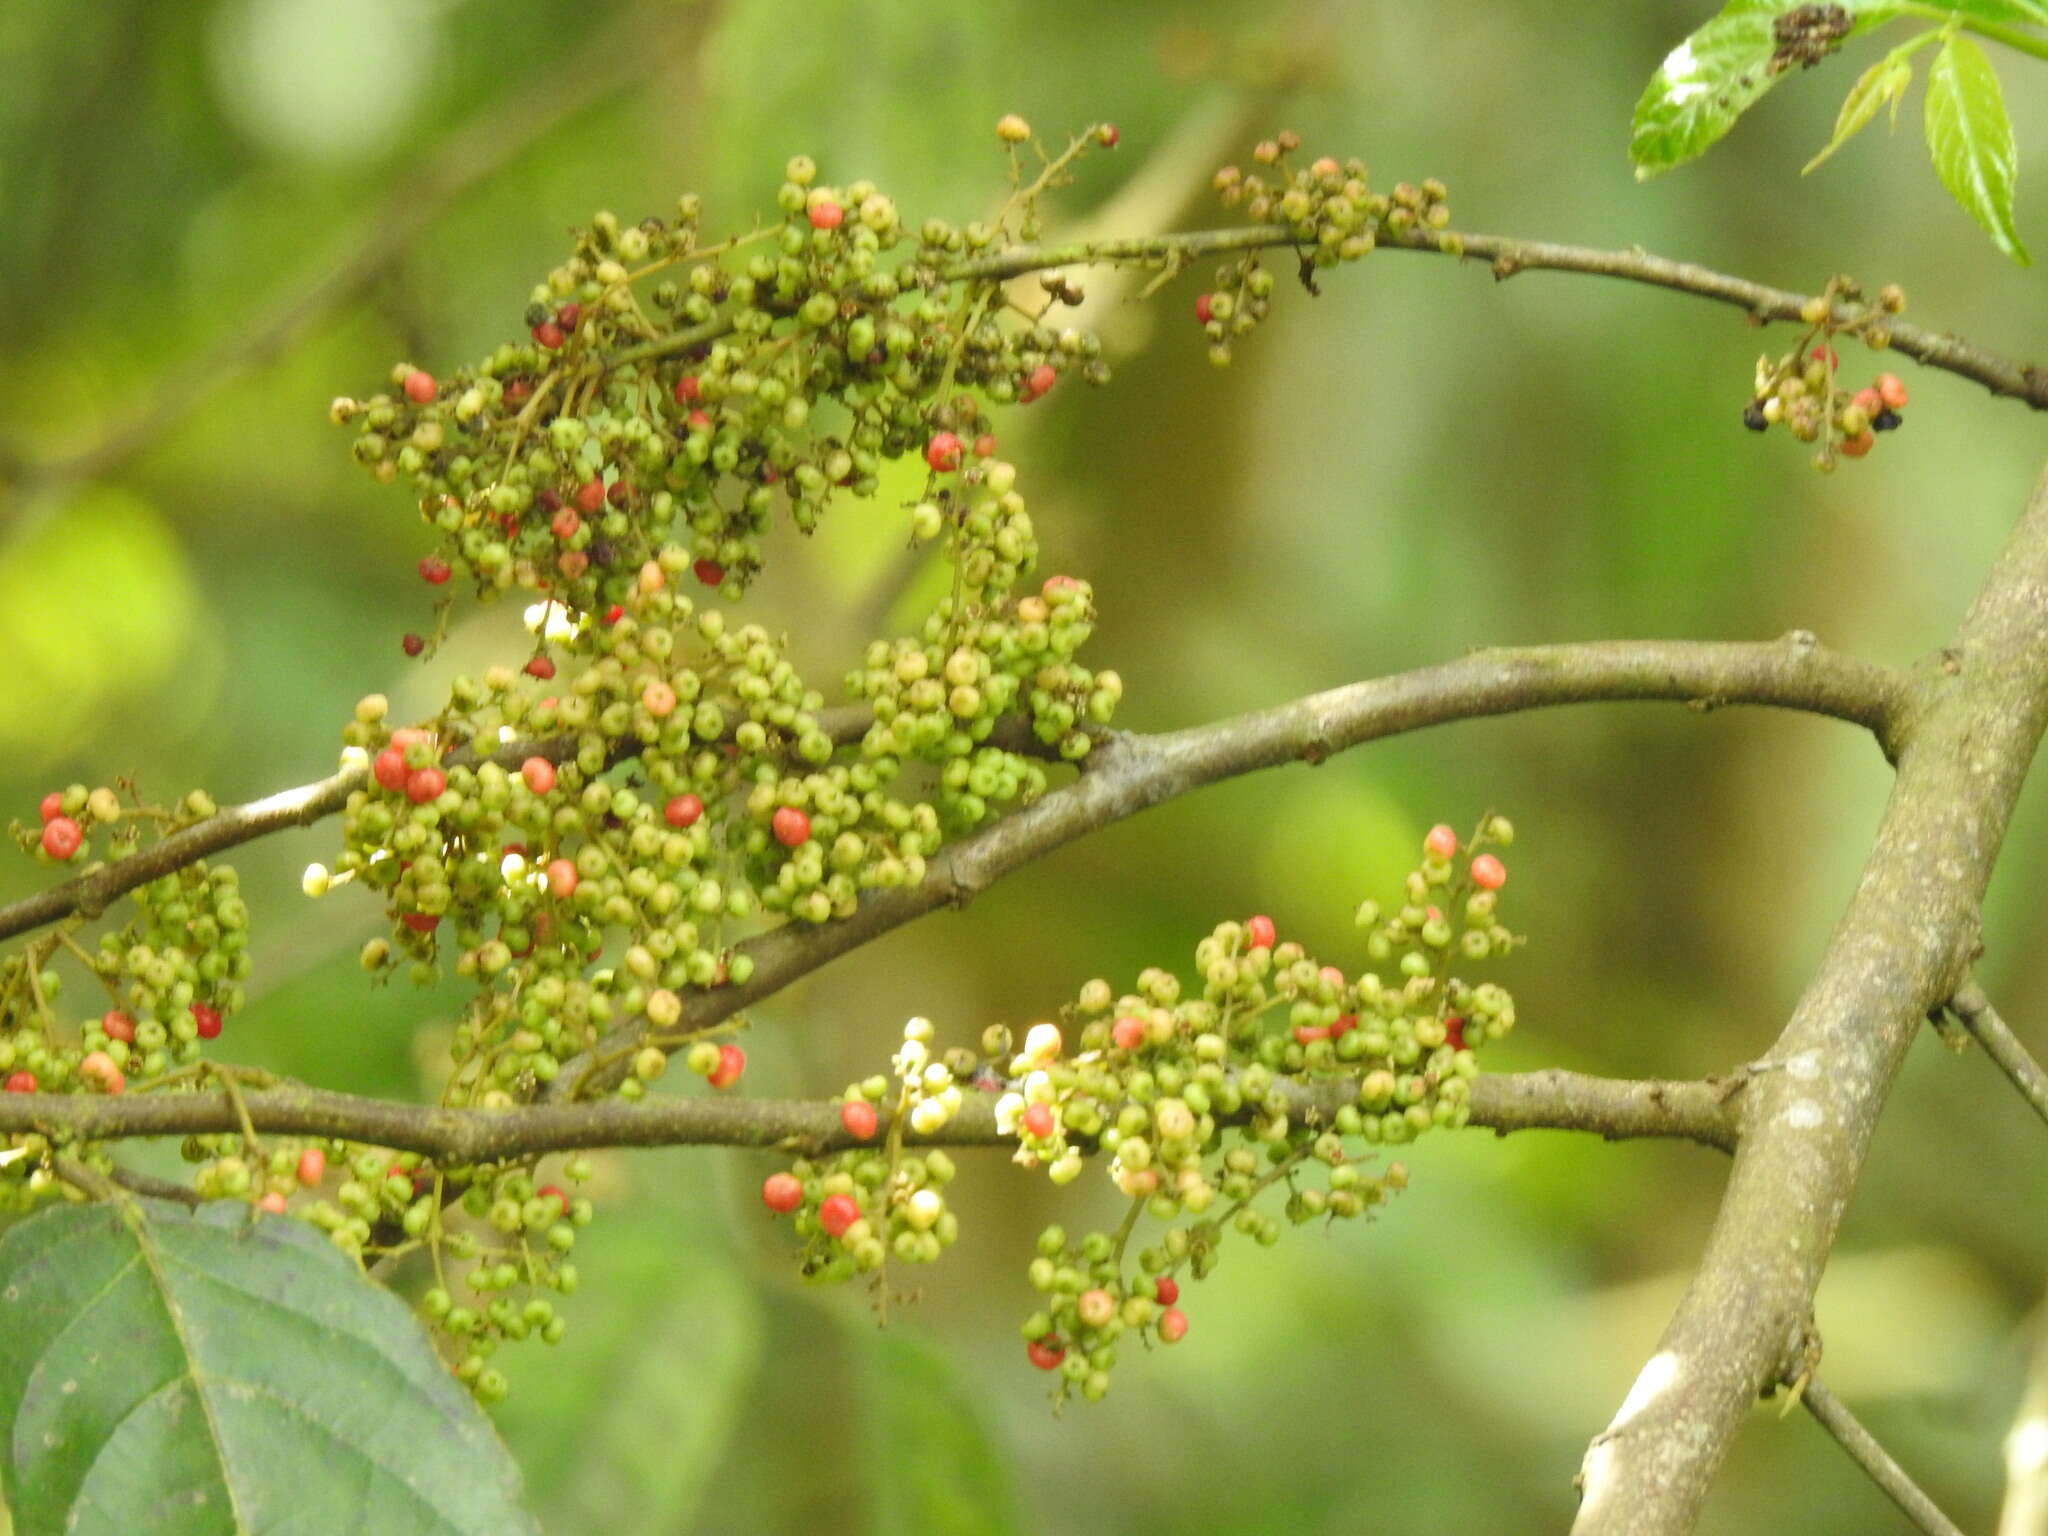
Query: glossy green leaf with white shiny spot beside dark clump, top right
x: 1715, y: 77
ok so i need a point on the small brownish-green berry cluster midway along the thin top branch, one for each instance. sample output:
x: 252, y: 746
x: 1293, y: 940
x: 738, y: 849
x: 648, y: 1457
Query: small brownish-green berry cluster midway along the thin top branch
x: 1334, y: 216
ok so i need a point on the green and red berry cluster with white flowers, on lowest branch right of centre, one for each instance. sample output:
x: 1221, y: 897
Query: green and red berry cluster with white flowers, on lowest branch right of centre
x: 1271, y: 1070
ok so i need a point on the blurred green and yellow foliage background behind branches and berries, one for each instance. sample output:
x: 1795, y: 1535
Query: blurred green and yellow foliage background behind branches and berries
x: 1410, y: 466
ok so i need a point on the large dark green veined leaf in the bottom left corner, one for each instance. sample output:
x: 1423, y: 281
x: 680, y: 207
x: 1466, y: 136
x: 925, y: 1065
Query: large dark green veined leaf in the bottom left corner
x: 220, y: 1373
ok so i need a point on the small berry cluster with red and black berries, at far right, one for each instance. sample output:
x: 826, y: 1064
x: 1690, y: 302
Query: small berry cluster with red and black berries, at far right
x: 1805, y: 394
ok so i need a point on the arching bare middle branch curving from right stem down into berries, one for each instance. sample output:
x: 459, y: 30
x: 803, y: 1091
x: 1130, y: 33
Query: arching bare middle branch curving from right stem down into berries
x: 1134, y: 773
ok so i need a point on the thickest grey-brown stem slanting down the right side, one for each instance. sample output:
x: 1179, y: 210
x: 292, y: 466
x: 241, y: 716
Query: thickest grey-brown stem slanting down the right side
x: 1900, y: 951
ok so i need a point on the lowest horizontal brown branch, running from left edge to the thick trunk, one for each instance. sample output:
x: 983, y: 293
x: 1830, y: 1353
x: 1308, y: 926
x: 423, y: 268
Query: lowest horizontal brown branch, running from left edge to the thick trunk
x: 1545, y: 1101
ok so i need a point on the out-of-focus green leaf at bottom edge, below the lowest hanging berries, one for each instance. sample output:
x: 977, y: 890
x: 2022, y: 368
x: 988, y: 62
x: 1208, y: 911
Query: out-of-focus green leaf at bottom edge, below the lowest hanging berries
x: 937, y: 1471
